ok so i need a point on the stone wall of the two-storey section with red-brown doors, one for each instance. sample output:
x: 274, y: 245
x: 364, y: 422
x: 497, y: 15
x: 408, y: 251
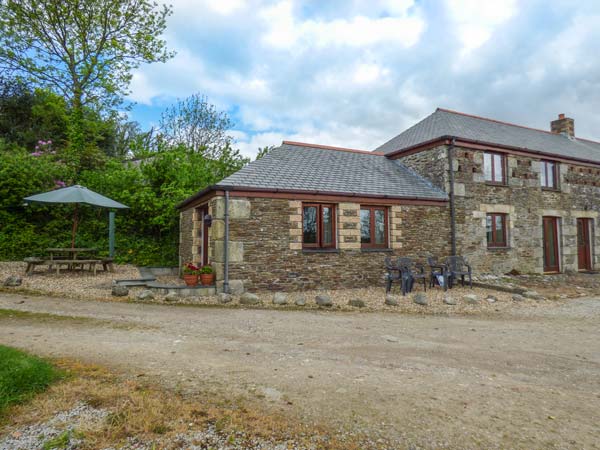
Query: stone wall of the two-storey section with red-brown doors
x: 524, y: 202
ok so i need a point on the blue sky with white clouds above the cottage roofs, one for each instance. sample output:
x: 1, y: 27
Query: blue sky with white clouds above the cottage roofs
x: 356, y: 73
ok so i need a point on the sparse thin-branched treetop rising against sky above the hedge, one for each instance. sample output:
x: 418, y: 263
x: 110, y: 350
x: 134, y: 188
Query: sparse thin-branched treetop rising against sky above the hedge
x: 197, y: 125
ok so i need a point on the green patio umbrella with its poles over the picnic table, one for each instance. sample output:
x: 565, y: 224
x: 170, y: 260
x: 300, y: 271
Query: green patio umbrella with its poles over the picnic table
x: 79, y: 194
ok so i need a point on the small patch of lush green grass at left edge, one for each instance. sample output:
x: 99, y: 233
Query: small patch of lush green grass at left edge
x: 22, y: 376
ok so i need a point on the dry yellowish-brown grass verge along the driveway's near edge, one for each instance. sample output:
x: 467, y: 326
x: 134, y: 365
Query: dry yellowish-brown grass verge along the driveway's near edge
x: 142, y: 409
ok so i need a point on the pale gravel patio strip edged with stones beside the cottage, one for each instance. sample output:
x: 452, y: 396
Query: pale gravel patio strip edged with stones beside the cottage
x: 460, y: 300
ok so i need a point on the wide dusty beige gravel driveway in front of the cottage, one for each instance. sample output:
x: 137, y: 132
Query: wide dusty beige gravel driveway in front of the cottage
x: 530, y: 379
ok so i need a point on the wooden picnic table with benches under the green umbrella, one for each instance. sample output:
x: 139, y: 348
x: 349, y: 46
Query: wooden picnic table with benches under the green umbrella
x: 71, y: 258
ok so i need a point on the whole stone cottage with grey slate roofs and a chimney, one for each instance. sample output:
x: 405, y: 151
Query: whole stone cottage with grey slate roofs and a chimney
x: 507, y: 197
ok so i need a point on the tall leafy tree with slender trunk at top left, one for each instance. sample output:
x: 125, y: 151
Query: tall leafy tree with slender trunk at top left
x: 82, y: 49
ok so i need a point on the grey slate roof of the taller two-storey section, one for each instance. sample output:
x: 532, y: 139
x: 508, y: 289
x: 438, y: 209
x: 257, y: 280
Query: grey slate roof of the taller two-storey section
x: 445, y: 123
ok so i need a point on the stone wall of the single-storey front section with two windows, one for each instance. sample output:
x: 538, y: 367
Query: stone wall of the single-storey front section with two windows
x: 266, y: 248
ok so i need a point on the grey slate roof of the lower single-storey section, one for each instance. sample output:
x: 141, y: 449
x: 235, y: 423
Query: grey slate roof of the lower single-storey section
x: 304, y: 167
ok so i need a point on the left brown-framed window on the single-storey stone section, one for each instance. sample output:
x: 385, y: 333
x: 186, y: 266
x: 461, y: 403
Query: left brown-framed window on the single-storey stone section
x: 318, y: 225
